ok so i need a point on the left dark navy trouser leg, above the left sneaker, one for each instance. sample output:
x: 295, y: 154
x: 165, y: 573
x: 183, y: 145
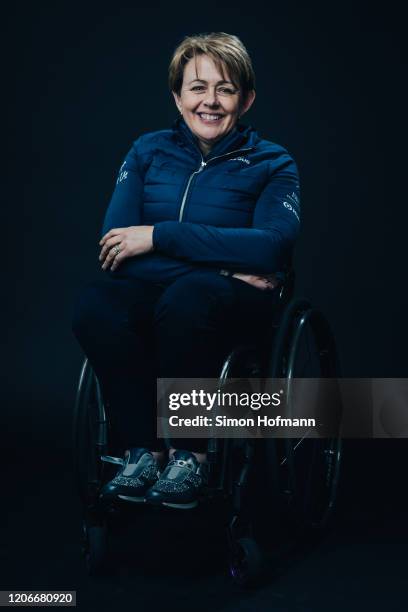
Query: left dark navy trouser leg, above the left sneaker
x: 113, y: 324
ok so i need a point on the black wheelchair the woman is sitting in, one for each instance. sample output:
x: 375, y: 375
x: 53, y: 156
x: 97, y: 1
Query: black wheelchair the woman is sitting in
x: 302, y: 474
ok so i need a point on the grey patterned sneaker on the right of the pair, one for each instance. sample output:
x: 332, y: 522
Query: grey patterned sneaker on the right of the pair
x: 181, y: 482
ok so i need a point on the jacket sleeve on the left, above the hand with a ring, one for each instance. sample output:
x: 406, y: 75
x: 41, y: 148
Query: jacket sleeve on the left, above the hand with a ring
x: 125, y: 207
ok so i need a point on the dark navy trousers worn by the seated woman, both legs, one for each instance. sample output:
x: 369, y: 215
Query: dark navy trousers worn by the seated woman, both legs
x: 134, y: 331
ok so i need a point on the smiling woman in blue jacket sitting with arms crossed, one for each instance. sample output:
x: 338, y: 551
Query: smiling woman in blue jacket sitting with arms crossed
x: 200, y: 226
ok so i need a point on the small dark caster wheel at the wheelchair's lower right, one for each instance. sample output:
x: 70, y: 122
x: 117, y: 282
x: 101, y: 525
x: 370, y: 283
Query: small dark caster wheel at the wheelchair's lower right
x: 246, y: 562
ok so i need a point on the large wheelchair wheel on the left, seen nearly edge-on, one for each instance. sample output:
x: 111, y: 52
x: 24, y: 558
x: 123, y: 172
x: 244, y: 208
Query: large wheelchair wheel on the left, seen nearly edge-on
x: 89, y: 436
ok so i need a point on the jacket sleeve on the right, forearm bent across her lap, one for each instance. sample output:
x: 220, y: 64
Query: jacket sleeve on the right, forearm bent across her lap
x: 261, y: 249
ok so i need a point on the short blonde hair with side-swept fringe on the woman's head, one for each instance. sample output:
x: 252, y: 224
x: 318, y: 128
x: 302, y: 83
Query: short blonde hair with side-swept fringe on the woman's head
x: 226, y: 50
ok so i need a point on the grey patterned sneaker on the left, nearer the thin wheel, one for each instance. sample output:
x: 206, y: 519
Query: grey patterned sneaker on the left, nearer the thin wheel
x: 138, y: 472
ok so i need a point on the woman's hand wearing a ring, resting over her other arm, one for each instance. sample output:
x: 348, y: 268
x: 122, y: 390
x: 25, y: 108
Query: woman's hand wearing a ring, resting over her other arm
x: 123, y: 242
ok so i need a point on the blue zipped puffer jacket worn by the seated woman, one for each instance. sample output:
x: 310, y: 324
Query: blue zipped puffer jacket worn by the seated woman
x: 236, y: 209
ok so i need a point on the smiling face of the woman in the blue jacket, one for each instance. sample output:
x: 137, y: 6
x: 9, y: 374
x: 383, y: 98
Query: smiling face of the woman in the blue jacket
x: 210, y: 103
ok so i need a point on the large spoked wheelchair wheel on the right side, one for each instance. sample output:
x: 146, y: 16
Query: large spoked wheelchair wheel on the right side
x: 307, y: 469
